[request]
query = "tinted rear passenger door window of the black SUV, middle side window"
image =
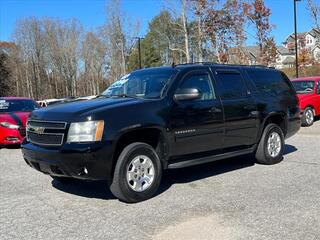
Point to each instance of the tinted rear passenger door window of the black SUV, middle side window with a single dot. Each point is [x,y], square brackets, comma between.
[231,85]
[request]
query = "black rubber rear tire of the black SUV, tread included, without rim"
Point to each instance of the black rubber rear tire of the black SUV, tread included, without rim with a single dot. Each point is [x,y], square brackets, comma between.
[263,155]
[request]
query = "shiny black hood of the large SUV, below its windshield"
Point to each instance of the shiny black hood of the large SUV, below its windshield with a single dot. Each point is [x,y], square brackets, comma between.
[75,110]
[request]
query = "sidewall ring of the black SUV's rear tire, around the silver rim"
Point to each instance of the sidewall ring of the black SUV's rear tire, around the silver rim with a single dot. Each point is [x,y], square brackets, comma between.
[270,129]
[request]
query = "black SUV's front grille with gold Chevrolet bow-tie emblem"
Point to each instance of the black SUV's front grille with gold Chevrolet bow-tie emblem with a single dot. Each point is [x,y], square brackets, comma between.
[46,133]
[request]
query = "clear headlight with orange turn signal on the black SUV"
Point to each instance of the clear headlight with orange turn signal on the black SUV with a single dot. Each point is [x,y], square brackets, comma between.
[90,131]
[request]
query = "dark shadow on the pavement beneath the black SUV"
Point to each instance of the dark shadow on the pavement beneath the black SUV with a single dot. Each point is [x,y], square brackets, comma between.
[99,189]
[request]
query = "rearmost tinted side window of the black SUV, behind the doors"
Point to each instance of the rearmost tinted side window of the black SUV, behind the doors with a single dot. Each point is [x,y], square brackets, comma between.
[269,81]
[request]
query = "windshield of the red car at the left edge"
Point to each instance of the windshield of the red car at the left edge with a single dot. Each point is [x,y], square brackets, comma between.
[17,105]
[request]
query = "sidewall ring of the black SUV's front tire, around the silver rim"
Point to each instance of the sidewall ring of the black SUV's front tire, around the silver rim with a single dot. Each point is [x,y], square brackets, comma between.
[124,160]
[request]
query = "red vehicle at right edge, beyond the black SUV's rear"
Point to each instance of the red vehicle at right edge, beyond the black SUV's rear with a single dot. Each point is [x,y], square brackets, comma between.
[308,91]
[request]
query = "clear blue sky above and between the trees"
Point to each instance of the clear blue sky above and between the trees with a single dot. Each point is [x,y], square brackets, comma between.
[91,14]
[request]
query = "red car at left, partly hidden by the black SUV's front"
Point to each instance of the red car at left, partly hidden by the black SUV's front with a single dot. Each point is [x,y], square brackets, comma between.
[14,113]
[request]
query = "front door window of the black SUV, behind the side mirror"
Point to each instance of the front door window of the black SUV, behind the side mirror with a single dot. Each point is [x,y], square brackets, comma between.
[202,82]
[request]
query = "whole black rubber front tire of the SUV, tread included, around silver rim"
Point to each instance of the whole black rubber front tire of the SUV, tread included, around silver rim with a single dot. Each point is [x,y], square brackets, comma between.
[120,186]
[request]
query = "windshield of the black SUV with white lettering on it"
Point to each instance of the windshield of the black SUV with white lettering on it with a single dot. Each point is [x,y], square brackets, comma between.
[144,84]
